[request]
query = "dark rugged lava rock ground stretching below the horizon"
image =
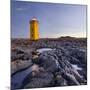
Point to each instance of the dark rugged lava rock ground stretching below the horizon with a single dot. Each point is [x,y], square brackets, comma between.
[48,62]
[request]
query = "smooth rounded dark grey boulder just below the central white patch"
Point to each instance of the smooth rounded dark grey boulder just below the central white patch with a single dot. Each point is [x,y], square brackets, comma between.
[48,62]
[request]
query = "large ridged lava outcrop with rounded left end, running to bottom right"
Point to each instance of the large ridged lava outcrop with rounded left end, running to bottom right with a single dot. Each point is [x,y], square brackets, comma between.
[60,60]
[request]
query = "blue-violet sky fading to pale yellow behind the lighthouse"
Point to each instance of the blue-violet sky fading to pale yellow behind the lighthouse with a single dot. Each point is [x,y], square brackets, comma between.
[55,19]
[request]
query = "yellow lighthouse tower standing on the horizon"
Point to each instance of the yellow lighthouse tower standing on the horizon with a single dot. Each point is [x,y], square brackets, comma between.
[34,26]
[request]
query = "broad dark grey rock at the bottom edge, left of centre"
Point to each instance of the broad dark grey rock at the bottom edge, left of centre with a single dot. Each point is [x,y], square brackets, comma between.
[42,79]
